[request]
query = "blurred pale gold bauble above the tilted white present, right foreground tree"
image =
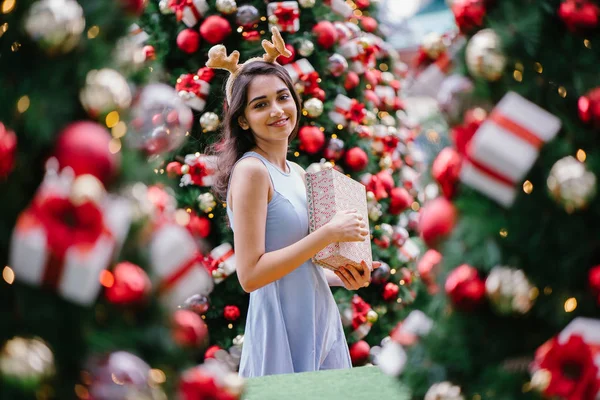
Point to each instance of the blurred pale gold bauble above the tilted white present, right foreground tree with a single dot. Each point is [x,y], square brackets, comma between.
[484,55]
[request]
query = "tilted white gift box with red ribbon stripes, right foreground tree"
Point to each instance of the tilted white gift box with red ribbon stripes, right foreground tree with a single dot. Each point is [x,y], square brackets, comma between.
[505,147]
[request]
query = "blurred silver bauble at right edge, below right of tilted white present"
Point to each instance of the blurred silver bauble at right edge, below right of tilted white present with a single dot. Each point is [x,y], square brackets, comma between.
[571,184]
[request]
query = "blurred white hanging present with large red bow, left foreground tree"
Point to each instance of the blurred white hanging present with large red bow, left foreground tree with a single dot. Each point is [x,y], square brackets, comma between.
[68,235]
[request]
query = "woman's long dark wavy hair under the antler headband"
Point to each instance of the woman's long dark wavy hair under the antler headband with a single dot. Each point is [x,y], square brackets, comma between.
[234,141]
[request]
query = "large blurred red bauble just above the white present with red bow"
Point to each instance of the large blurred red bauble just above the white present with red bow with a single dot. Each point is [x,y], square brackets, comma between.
[84,146]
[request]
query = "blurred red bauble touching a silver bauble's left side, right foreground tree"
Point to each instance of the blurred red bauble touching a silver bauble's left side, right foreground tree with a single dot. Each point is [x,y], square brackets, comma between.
[465,288]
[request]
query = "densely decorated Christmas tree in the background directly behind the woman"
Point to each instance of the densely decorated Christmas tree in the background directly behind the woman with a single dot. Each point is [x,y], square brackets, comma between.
[349,80]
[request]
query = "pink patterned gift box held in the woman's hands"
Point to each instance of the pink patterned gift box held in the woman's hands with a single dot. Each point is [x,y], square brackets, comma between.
[329,191]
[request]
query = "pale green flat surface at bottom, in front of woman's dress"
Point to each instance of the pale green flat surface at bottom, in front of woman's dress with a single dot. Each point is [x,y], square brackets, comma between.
[364,383]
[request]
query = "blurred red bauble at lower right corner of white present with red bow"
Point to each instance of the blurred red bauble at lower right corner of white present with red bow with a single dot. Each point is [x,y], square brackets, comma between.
[131,284]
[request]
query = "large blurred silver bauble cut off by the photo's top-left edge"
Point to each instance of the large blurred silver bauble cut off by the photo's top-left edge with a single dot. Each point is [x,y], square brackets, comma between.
[56,25]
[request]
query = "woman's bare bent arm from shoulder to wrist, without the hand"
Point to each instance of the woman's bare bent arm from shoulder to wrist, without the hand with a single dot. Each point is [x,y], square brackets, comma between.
[249,194]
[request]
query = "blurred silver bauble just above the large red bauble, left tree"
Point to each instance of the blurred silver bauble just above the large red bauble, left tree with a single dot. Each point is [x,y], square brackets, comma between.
[105,90]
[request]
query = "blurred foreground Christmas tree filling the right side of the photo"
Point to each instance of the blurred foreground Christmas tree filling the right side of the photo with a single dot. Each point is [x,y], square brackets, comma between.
[516,279]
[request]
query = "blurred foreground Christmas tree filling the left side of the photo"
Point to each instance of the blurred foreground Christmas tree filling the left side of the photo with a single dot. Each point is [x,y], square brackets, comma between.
[84,307]
